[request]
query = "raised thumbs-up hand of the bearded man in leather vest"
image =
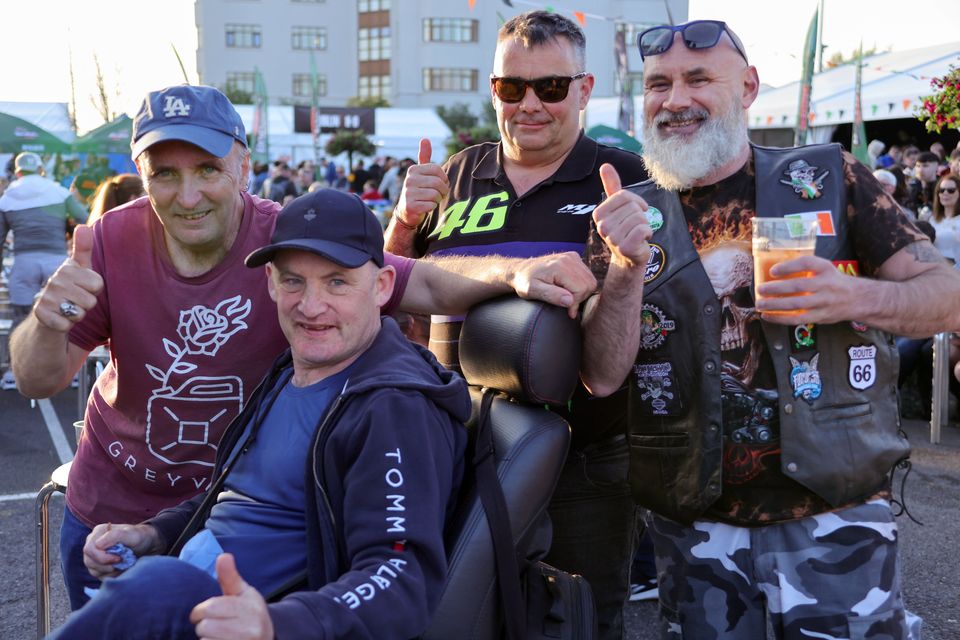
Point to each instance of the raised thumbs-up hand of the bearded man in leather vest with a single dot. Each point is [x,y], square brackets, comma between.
[622,223]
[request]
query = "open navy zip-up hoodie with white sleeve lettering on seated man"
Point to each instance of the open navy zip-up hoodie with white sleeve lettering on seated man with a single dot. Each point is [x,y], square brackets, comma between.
[383,476]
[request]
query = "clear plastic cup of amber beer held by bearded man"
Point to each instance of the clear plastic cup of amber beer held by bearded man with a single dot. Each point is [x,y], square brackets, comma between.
[777,240]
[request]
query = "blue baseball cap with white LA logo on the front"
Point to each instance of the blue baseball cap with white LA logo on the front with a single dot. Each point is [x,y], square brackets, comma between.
[197,114]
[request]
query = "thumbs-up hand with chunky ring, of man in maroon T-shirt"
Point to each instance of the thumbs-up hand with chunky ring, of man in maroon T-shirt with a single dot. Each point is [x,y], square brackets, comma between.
[72,290]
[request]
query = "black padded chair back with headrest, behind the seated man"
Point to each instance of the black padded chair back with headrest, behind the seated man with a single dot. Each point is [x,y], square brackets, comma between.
[530,352]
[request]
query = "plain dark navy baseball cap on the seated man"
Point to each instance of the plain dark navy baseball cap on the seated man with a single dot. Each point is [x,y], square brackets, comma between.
[332,224]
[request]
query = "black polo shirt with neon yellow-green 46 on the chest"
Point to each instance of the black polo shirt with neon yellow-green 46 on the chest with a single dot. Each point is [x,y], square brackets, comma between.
[483,215]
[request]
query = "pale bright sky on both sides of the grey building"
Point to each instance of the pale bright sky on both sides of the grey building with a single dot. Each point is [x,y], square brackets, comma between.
[134,41]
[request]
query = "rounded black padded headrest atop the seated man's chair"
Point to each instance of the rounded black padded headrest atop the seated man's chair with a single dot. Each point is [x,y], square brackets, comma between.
[527,349]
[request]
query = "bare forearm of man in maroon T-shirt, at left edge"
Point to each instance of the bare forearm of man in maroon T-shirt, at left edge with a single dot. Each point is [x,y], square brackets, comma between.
[41,359]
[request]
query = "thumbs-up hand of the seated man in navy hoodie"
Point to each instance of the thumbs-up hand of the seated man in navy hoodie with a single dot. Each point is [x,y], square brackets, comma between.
[239,614]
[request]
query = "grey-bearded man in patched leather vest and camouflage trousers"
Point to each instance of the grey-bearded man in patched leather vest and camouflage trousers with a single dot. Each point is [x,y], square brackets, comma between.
[761,442]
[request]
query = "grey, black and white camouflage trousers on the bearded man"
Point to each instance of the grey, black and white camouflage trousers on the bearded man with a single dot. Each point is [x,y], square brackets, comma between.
[833,576]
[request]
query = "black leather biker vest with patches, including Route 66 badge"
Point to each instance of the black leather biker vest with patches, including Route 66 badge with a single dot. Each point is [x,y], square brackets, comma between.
[837,384]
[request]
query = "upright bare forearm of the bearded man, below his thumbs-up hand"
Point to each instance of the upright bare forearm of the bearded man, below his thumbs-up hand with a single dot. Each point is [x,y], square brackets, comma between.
[611,330]
